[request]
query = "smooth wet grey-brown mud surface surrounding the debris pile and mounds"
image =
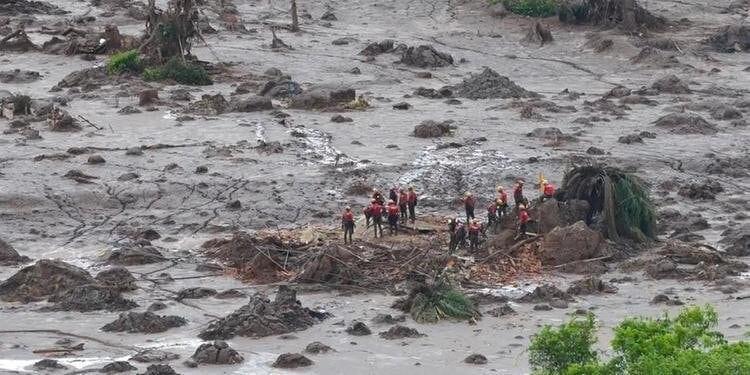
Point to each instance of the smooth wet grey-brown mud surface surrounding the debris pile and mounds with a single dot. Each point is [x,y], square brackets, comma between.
[320,165]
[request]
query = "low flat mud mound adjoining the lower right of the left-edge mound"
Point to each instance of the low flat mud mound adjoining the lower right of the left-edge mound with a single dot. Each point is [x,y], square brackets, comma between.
[90,298]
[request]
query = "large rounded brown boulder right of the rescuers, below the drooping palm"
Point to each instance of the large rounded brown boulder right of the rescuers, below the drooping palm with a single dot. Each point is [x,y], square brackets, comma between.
[572,243]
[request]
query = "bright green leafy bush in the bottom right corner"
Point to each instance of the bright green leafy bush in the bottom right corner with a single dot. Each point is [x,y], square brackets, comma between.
[685,345]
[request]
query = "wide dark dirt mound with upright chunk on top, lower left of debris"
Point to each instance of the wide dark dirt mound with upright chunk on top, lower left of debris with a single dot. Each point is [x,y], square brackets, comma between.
[262,317]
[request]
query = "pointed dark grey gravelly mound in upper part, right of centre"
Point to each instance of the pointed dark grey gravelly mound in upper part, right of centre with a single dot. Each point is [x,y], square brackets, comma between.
[489,85]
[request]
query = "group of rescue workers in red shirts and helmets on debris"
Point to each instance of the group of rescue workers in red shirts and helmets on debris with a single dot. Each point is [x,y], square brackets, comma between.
[401,206]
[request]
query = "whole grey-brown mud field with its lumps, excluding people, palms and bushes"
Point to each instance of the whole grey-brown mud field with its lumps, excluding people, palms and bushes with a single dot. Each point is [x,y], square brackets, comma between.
[143,184]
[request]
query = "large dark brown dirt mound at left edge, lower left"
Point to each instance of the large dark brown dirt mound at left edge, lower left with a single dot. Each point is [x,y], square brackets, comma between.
[43,279]
